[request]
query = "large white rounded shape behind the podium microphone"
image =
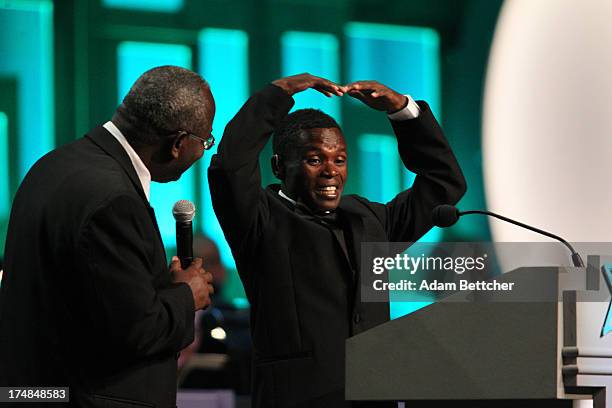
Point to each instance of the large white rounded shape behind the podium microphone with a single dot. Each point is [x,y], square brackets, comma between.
[547,119]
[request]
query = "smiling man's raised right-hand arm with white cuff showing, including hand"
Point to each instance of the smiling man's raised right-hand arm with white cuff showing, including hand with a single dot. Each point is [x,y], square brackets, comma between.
[425,151]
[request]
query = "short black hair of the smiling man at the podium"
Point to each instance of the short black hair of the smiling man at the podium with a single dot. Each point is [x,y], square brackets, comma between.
[287,134]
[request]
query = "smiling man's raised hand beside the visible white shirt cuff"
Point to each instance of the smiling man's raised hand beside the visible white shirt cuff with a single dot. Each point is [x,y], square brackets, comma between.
[376,96]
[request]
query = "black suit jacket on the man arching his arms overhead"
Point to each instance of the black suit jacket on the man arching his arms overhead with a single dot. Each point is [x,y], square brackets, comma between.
[301,285]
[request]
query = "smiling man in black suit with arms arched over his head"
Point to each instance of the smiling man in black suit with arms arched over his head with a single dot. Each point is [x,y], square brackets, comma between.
[297,245]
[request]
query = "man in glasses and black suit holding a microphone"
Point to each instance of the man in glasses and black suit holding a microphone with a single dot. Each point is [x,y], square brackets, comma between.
[87,299]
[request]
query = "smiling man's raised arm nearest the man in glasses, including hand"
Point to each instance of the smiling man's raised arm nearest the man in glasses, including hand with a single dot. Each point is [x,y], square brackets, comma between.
[234,174]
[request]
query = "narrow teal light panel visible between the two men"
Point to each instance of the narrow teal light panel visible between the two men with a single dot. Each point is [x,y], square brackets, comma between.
[224,62]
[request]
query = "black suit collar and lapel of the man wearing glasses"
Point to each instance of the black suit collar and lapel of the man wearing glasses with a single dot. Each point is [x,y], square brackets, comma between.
[107,142]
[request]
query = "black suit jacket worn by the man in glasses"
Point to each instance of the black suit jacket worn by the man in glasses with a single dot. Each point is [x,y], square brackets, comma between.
[87,300]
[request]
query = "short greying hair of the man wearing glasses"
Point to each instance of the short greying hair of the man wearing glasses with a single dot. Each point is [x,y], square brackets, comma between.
[164,100]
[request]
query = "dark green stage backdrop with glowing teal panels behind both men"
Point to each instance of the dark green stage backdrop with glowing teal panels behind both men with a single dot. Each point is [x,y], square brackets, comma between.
[66,64]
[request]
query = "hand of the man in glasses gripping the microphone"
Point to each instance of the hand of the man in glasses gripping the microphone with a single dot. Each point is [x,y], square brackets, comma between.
[199,281]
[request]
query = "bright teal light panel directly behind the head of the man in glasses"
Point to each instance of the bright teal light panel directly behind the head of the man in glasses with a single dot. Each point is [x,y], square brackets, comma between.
[133,59]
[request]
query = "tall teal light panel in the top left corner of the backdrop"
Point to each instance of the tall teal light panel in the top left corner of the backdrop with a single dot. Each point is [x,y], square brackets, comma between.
[26,52]
